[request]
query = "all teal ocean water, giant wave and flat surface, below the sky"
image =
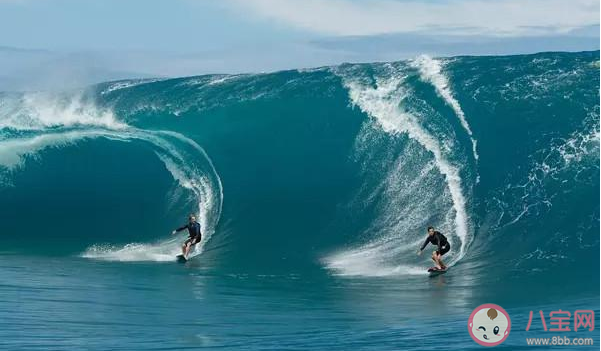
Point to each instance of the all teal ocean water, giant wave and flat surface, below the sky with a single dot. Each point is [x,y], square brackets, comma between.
[313,189]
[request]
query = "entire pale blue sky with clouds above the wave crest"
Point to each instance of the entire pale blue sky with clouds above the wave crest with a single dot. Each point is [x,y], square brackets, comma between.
[114,38]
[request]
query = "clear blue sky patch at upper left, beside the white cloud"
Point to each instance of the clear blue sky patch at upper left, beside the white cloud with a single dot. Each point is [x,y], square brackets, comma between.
[155,25]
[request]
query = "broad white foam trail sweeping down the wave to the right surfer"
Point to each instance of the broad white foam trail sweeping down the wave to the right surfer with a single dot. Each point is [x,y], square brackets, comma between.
[383,103]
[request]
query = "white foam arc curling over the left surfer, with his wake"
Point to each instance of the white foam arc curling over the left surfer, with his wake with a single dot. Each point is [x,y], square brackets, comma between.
[59,125]
